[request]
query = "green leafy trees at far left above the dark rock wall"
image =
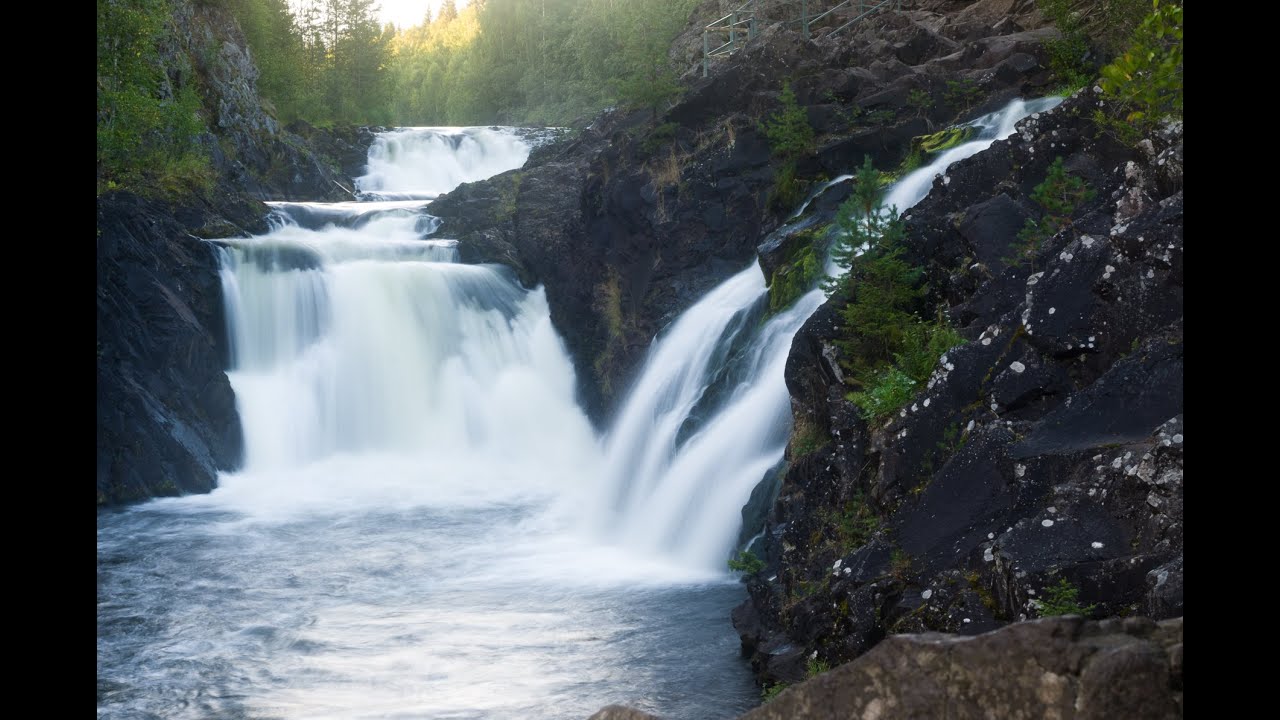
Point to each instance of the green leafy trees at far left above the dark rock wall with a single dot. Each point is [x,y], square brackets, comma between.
[148,124]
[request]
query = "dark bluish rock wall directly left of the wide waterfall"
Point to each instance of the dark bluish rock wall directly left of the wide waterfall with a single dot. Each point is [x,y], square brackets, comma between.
[167,417]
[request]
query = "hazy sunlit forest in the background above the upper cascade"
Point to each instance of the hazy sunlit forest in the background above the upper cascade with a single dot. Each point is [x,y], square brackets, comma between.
[510,62]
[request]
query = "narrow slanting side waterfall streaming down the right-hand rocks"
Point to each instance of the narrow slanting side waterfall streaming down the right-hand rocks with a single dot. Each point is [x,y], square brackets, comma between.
[680,493]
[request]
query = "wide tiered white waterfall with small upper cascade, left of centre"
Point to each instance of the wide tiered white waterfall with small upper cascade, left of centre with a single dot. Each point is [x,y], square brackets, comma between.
[367,361]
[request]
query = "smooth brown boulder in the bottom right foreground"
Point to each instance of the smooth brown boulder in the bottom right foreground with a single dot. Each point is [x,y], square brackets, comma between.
[1060,668]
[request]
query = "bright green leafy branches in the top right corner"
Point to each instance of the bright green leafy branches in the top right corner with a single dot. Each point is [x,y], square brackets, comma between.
[1146,81]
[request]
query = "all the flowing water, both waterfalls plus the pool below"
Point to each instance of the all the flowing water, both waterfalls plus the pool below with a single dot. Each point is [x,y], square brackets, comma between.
[409,534]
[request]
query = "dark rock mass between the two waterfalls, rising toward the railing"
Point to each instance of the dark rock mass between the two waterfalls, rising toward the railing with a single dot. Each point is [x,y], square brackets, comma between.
[630,221]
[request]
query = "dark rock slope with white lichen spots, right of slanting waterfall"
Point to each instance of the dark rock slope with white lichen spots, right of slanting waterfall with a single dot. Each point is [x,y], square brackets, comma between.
[1046,453]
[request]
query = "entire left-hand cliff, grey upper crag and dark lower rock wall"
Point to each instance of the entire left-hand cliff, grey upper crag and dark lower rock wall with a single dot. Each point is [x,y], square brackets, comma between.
[167,417]
